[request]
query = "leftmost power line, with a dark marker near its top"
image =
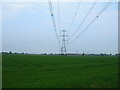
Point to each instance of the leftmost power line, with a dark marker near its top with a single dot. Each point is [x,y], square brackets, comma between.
[53,19]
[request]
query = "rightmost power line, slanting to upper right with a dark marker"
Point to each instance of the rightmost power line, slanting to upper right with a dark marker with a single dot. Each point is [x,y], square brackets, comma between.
[92,21]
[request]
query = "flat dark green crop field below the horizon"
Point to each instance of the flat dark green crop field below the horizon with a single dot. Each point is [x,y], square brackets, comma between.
[36,71]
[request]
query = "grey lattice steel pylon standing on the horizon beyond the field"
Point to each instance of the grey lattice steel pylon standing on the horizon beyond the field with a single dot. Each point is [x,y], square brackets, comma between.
[64,41]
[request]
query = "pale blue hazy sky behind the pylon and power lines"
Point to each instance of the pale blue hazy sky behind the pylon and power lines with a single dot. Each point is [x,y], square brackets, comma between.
[28,27]
